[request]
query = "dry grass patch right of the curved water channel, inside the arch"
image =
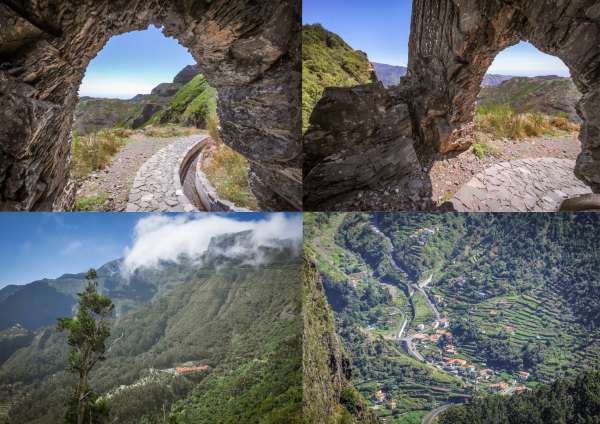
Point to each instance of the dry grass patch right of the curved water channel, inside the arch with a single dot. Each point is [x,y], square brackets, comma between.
[228,171]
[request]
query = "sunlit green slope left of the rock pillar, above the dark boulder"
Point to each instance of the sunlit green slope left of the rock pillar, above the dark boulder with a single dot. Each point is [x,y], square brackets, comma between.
[328,61]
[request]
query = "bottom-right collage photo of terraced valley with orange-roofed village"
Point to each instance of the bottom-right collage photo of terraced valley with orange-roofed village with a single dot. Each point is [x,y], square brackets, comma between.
[451,318]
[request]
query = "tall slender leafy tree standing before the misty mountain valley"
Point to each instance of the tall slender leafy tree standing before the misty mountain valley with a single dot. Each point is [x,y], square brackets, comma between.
[88,331]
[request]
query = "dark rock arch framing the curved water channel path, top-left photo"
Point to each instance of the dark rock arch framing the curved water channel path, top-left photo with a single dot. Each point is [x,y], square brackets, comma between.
[247,49]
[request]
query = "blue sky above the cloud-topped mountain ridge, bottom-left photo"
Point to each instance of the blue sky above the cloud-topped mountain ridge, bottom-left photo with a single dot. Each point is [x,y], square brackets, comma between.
[46,245]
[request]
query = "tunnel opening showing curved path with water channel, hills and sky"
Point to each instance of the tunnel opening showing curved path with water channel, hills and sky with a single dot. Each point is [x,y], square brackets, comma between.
[144,111]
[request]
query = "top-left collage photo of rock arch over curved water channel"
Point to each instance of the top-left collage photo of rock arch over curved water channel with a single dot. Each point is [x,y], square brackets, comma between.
[160,106]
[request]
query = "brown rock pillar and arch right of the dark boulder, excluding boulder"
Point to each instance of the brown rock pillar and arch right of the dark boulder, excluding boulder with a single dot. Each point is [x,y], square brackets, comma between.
[453,43]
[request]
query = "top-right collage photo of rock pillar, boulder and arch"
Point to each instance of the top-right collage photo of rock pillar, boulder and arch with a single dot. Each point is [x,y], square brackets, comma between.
[441,105]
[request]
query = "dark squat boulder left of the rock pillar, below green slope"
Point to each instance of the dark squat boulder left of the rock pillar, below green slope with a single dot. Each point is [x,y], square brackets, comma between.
[360,139]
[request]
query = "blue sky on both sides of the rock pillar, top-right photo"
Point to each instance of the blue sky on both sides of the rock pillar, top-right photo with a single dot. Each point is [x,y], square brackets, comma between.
[381,28]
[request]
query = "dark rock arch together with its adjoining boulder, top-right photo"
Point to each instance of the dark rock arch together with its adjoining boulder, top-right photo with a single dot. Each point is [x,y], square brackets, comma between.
[401,131]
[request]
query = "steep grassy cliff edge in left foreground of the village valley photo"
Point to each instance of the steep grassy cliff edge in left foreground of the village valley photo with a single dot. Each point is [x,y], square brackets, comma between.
[329,397]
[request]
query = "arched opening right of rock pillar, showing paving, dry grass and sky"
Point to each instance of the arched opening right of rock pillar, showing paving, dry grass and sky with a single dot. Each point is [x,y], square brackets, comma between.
[524,140]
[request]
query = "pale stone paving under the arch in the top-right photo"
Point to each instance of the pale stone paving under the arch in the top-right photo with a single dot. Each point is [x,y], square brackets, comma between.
[527,185]
